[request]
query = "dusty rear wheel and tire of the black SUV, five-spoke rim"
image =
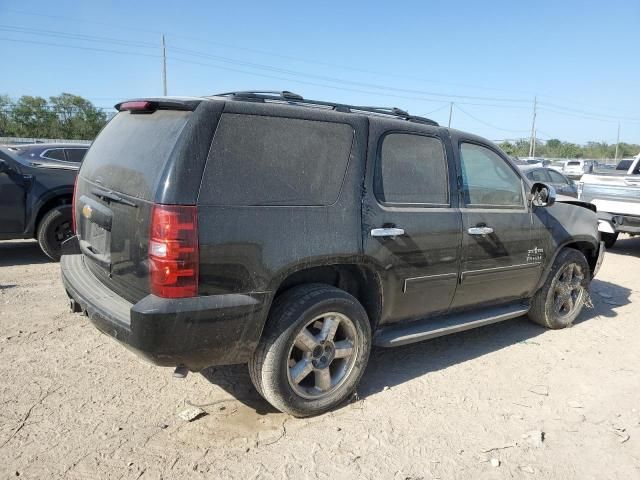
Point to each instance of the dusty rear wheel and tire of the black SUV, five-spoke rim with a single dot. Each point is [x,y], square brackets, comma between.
[313,351]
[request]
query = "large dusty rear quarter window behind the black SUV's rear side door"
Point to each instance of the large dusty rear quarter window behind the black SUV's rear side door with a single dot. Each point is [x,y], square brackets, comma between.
[260,160]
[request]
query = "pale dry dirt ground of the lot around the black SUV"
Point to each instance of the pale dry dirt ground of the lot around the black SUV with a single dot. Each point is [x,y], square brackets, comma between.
[74,404]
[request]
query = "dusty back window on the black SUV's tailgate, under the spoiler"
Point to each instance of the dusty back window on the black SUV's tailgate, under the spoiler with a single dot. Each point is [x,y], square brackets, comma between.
[130,153]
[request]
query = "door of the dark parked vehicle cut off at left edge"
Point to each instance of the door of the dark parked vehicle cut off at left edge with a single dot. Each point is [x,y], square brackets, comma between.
[12,199]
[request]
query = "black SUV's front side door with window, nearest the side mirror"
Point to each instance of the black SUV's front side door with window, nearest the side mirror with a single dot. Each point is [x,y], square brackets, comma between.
[501,261]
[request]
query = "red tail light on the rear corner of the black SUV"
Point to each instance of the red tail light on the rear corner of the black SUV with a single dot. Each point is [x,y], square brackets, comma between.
[173,251]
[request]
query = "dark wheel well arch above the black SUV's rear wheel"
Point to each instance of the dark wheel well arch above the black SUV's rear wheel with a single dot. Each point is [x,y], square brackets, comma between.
[359,281]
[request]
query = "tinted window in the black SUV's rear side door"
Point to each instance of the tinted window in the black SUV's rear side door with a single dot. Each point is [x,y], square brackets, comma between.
[411,169]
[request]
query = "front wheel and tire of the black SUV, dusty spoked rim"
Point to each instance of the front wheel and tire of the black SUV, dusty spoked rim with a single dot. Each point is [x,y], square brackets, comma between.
[568,280]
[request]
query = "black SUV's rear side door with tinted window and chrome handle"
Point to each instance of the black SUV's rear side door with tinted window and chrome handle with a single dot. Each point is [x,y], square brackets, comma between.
[411,224]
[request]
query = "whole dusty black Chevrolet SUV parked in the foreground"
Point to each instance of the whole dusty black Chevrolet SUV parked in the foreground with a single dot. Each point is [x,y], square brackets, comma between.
[291,234]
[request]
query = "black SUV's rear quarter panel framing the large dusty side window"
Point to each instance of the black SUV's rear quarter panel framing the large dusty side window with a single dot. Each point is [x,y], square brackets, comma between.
[254,248]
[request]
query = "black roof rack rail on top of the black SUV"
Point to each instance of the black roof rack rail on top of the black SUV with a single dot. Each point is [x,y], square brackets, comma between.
[291,98]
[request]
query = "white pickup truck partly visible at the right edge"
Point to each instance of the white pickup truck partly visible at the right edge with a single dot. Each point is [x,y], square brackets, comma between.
[616,195]
